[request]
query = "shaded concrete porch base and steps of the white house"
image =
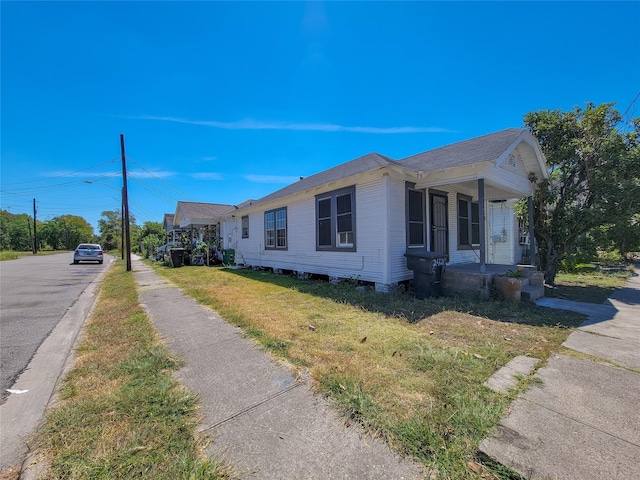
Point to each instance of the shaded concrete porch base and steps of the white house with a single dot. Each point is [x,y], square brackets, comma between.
[471,280]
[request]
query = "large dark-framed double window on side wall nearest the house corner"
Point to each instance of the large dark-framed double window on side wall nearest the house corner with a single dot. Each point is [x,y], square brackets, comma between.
[335,220]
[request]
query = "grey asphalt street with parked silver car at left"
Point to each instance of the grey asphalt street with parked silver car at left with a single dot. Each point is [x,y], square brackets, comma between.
[35,293]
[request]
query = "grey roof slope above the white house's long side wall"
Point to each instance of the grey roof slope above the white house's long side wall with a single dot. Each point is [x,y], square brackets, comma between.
[362,164]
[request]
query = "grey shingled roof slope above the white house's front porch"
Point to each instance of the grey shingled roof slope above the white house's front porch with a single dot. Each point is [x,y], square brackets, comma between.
[475,150]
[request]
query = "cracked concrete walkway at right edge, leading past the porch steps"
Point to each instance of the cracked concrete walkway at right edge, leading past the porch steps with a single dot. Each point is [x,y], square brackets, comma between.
[583,421]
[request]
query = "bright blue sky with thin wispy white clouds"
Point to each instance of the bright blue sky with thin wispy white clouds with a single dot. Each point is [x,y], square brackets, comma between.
[226,101]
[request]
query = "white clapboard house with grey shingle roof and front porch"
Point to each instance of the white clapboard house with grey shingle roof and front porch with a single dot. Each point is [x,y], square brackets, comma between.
[358,219]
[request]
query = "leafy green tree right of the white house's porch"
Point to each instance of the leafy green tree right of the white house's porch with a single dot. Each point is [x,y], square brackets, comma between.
[593,180]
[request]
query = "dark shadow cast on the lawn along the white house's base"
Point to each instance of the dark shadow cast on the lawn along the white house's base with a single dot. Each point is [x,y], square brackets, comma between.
[398,304]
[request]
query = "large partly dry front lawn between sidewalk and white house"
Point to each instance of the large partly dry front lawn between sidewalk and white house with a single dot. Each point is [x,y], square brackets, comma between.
[409,371]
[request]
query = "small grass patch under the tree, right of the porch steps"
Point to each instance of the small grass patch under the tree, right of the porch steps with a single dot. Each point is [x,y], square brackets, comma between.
[588,283]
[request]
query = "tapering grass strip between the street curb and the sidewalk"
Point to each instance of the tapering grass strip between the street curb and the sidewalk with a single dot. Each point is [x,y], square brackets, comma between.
[121,414]
